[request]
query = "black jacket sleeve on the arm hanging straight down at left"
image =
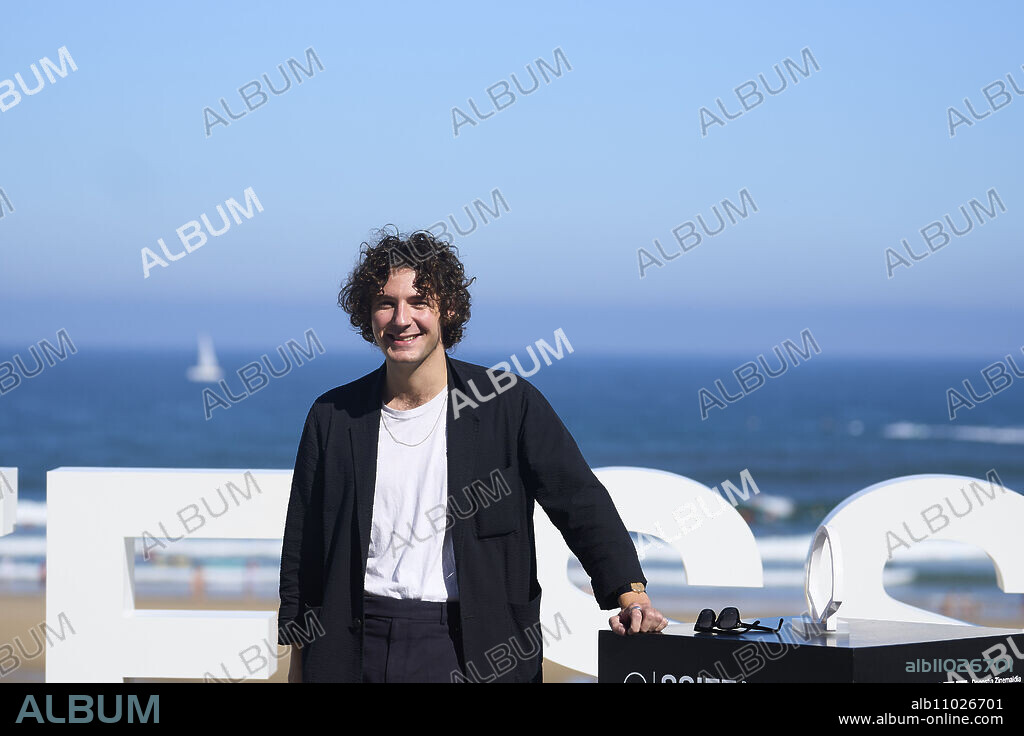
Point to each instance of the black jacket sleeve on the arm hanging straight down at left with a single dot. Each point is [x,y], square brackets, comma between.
[301,560]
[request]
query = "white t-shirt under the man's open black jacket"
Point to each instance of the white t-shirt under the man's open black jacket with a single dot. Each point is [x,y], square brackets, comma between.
[411,553]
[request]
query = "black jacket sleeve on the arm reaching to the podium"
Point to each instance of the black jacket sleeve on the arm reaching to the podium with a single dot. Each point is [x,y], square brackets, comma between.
[554,470]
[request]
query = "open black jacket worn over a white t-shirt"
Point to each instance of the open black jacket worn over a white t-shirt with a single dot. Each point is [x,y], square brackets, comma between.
[517,434]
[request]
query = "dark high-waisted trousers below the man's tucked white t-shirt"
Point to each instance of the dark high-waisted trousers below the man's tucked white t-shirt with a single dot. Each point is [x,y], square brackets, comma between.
[406,641]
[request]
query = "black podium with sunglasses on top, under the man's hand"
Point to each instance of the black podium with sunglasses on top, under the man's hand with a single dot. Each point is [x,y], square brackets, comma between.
[862,652]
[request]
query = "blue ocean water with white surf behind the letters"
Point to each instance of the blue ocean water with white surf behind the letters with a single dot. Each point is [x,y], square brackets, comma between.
[826,429]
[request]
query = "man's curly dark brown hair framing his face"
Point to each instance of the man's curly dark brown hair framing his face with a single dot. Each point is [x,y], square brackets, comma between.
[440,276]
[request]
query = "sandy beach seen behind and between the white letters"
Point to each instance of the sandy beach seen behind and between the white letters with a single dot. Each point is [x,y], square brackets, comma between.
[19,615]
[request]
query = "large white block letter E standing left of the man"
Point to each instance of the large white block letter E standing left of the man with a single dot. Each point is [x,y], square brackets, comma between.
[94,517]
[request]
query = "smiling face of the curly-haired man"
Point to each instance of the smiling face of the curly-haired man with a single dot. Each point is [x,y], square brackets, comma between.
[407,325]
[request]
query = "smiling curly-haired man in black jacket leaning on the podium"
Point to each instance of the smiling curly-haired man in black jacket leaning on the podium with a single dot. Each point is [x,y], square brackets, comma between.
[409,552]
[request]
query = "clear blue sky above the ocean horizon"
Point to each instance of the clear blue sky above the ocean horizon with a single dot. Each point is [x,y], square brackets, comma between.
[593,165]
